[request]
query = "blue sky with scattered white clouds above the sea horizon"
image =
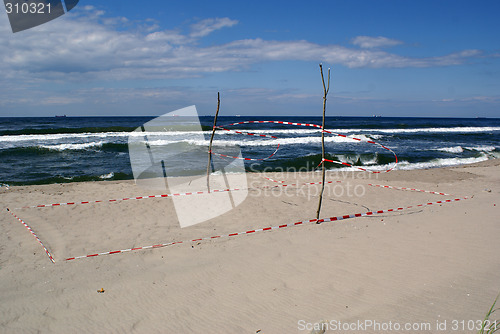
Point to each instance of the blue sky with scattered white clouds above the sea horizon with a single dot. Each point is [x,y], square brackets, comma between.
[389,58]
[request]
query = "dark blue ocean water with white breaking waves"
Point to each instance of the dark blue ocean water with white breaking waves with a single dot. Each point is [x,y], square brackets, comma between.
[73,149]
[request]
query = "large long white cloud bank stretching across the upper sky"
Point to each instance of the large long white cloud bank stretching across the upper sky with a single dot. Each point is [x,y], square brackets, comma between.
[85,46]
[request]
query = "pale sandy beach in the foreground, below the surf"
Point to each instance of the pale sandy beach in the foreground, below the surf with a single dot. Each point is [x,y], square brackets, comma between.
[436,263]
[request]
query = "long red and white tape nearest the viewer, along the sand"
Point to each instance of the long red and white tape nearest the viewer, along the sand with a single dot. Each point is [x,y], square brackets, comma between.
[330,219]
